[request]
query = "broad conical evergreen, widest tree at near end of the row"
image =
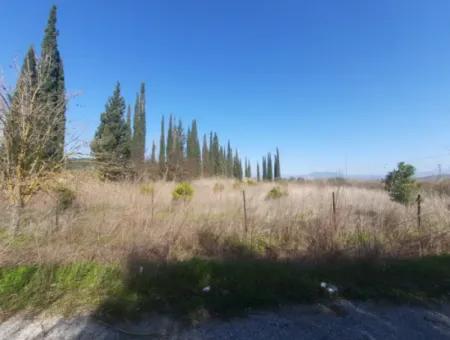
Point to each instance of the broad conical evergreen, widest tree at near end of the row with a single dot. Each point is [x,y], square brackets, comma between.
[111,144]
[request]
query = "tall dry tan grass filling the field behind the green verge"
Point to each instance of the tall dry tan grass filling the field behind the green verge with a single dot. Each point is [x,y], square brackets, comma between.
[111,220]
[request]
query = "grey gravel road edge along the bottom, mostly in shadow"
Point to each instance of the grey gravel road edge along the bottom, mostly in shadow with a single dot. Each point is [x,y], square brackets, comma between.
[338,320]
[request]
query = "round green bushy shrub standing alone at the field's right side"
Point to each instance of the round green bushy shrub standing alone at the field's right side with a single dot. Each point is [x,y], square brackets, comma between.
[401,185]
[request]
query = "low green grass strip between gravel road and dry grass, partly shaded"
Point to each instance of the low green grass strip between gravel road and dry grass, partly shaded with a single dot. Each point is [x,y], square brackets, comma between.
[235,287]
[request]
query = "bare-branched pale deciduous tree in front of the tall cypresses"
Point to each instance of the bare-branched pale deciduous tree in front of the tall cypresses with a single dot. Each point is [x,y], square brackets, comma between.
[26,127]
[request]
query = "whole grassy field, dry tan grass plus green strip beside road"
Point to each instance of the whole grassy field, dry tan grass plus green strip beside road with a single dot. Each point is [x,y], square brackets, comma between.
[121,248]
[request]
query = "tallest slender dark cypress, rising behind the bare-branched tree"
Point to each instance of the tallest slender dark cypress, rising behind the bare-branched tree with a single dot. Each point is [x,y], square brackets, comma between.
[52,91]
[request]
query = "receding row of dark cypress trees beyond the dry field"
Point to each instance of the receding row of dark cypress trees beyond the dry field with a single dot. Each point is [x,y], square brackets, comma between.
[119,148]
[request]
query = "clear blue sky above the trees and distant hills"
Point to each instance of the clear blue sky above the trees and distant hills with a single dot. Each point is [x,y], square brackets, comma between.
[349,85]
